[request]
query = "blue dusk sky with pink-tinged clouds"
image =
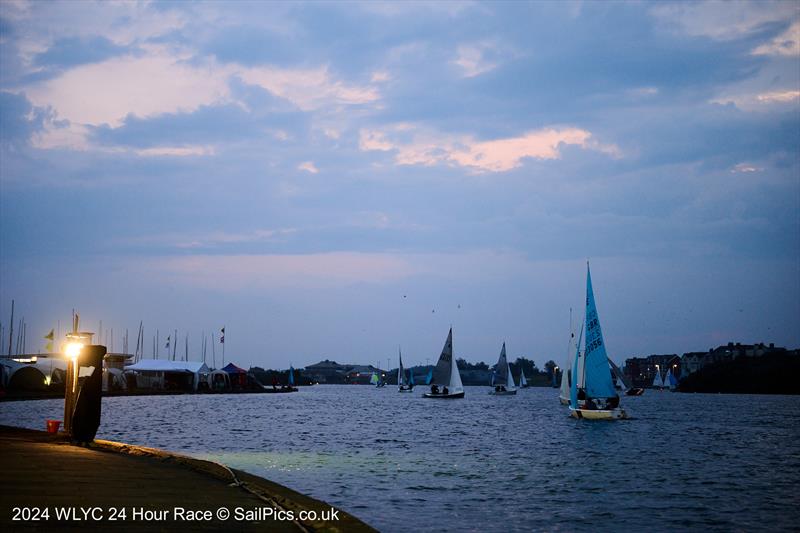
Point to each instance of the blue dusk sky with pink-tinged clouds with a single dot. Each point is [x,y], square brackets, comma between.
[343,180]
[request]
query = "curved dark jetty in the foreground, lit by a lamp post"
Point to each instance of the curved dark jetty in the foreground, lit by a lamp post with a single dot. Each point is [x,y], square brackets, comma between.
[132,488]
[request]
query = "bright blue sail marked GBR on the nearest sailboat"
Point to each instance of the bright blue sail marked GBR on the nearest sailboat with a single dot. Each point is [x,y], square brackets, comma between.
[597,375]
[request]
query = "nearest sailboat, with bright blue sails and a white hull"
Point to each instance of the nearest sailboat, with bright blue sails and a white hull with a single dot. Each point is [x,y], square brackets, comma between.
[596,399]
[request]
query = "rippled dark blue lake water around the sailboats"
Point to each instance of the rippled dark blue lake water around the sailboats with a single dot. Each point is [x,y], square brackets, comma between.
[401,462]
